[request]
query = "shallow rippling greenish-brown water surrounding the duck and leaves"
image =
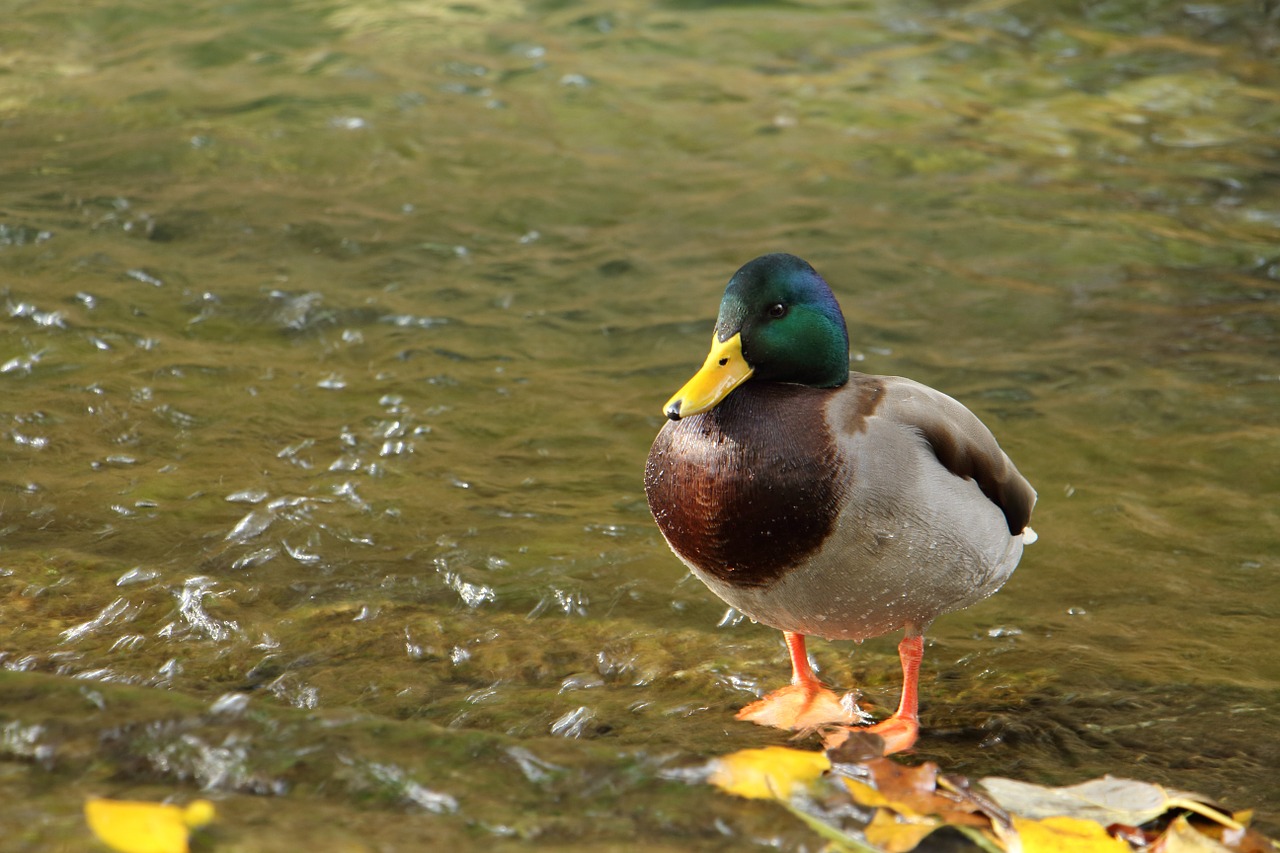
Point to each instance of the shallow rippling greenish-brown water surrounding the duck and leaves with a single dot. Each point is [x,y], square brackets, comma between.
[337,336]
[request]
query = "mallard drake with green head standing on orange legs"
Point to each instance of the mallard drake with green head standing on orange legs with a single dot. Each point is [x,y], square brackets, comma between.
[825,503]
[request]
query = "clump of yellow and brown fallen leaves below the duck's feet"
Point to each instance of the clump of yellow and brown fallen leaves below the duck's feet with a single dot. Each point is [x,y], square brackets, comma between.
[899,806]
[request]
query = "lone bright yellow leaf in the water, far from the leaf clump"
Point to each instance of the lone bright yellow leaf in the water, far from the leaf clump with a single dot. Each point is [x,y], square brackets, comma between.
[145,828]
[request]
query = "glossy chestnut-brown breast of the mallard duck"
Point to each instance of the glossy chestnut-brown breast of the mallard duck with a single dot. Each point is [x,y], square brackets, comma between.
[752,487]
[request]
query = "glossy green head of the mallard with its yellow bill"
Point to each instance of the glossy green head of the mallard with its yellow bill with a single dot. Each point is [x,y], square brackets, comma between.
[779,322]
